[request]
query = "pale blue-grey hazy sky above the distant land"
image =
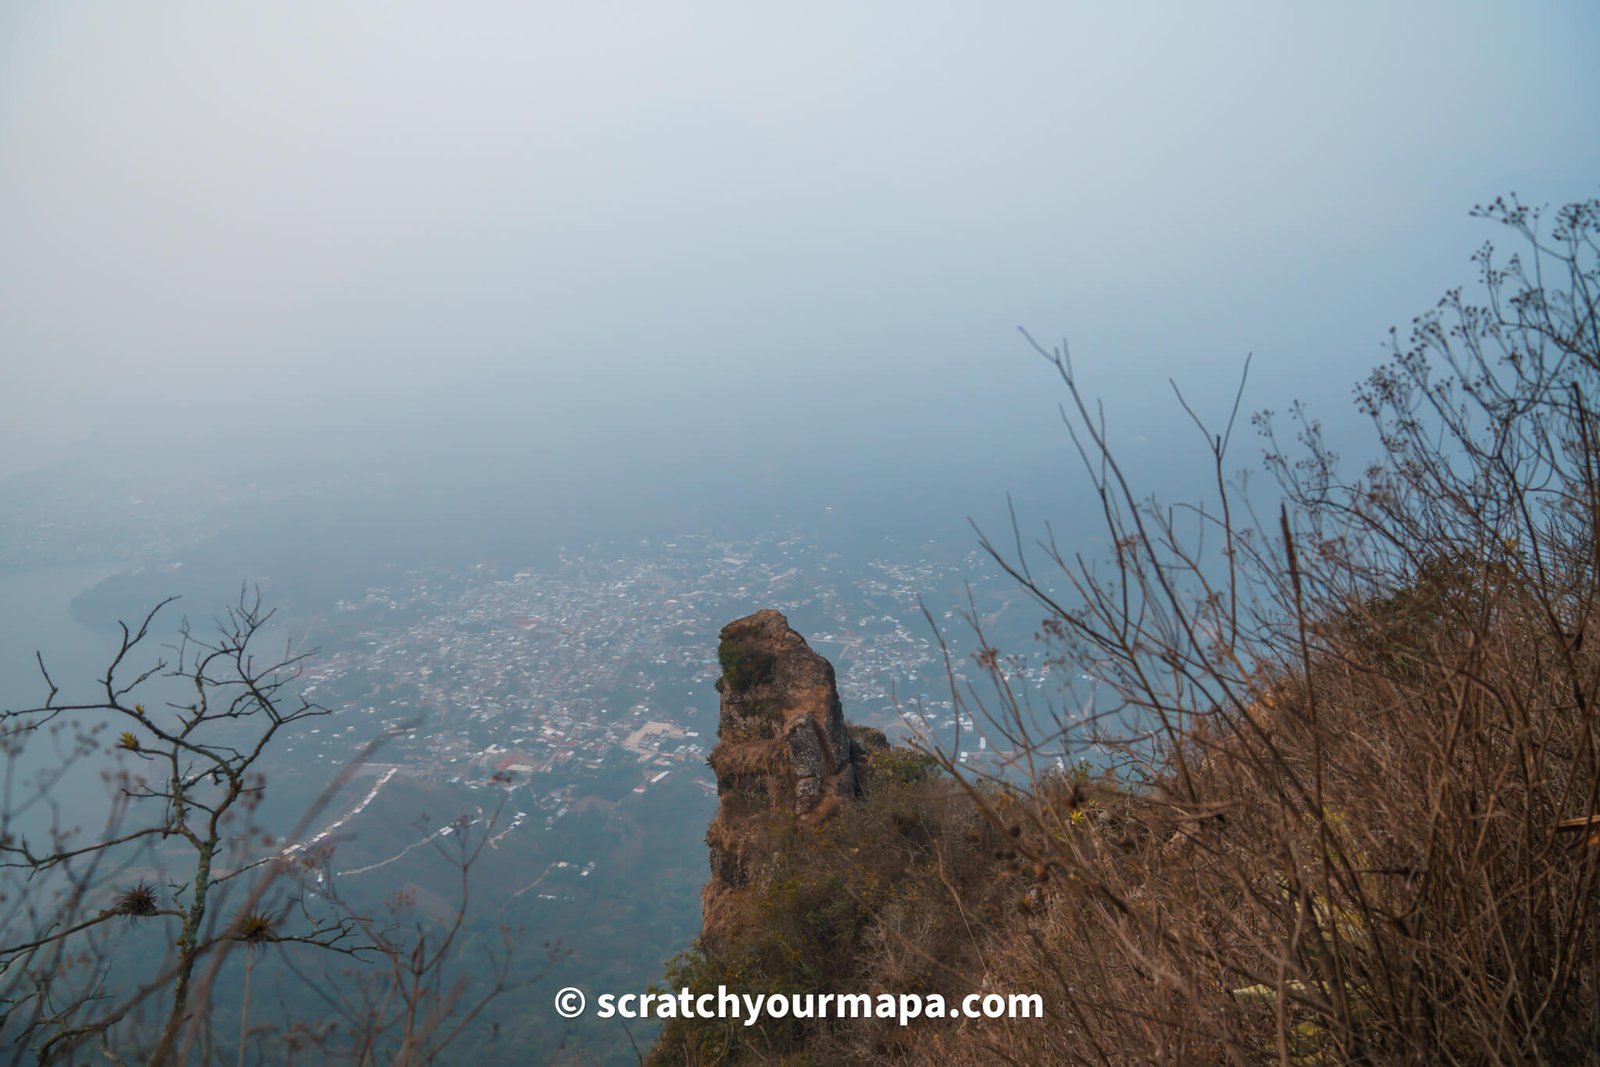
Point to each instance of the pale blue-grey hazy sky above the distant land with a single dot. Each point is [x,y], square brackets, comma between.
[684,236]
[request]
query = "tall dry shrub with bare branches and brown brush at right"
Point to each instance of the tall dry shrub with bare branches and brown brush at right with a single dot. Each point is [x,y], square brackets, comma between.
[1358,748]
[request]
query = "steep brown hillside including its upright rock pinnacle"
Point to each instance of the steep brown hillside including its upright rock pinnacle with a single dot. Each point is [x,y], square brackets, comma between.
[1206,916]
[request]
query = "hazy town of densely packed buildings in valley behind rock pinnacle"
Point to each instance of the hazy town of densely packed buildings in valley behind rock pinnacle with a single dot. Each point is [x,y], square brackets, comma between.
[594,674]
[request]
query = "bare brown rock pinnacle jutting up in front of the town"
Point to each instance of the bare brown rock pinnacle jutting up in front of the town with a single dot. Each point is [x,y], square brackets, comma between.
[783,753]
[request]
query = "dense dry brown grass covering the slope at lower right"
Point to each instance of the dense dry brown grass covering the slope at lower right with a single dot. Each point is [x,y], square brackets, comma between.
[1431,909]
